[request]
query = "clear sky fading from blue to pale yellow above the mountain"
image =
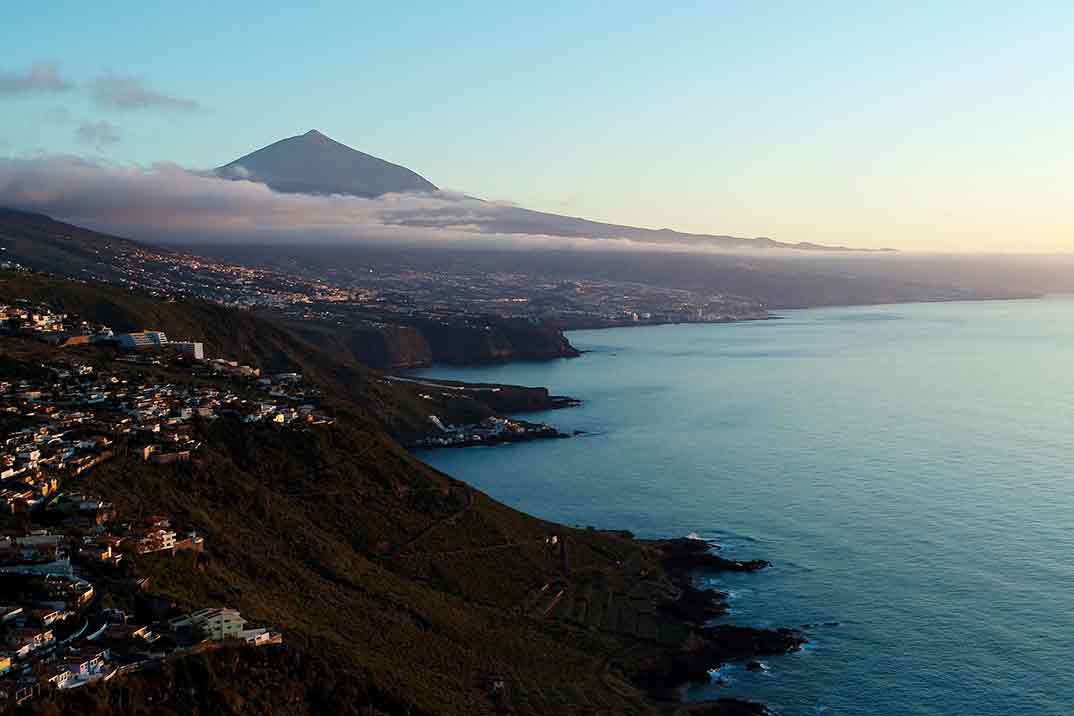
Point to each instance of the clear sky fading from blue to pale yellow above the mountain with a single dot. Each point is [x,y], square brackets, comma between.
[921,126]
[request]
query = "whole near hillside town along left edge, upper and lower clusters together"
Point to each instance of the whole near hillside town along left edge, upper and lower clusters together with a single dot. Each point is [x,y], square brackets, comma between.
[61,544]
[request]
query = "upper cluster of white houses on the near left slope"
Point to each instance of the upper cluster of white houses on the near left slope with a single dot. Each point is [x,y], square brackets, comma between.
[67,418]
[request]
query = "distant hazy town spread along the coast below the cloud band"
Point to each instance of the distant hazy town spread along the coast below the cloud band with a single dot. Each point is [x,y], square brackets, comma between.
[376,290]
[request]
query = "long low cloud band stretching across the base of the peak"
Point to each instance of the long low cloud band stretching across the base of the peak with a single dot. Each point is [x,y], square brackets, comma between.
[166,202]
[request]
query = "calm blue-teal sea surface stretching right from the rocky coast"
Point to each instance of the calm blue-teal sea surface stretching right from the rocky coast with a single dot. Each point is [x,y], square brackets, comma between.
[908,470]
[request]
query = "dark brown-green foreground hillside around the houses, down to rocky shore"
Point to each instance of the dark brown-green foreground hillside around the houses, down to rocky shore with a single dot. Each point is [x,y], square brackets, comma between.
[399,590]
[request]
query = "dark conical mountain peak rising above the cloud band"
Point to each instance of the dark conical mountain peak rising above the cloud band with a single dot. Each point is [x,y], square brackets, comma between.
[313,164]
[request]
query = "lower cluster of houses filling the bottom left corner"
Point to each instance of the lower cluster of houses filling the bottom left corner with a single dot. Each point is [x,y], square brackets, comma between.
[57,632]
